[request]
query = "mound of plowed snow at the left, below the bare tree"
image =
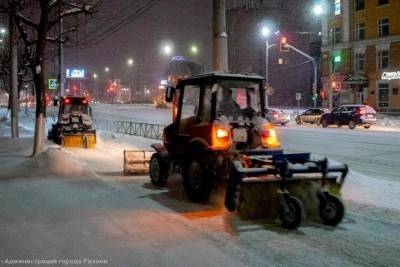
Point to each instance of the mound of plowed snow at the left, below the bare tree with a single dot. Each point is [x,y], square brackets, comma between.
[51,163]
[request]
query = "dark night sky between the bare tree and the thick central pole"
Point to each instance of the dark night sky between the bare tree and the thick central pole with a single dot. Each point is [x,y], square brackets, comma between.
[181,22]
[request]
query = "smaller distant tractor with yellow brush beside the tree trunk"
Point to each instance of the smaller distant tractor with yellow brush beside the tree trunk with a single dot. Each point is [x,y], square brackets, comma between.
[74,127]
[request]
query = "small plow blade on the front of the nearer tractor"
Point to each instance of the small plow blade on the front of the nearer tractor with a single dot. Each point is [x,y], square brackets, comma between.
[136,162]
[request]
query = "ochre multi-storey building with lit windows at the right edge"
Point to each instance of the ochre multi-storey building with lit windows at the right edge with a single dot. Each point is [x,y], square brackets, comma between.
[361,54]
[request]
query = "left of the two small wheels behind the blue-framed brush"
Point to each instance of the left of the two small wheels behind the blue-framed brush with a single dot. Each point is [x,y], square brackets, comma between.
[292,217]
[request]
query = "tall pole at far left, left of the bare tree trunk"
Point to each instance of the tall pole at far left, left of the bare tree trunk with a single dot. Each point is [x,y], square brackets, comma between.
[14,77]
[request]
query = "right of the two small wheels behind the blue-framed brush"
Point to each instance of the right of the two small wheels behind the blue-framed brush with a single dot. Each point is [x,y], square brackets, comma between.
[331,210]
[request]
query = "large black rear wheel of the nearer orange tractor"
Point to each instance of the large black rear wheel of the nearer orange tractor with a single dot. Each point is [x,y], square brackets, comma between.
[197,180]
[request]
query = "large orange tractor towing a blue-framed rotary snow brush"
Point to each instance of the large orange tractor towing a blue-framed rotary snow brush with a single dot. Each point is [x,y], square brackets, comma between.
[220,136]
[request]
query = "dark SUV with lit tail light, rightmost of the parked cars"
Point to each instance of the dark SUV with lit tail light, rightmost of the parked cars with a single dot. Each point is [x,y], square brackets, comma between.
[351,115]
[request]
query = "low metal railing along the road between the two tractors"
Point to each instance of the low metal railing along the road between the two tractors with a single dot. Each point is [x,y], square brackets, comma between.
[148,130]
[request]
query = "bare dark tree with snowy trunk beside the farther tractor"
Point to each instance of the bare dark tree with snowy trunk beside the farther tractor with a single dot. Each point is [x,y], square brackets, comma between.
[35,21]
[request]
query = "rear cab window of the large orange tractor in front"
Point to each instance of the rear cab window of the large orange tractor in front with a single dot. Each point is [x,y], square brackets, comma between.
[238,99]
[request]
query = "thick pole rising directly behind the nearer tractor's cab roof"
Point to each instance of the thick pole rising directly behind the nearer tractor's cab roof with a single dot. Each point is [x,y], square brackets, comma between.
[220,37]
